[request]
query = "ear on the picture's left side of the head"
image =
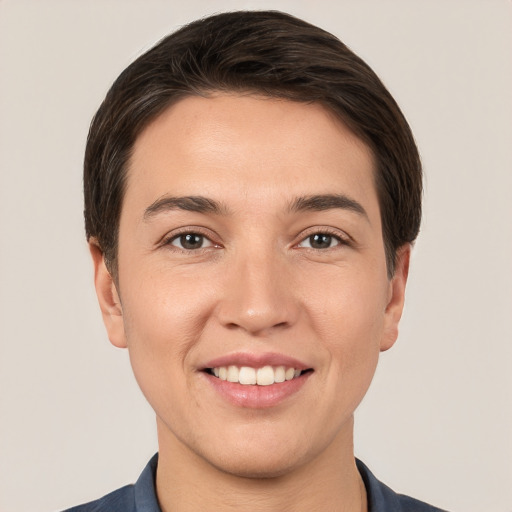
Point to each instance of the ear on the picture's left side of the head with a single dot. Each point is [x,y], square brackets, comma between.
[108,297]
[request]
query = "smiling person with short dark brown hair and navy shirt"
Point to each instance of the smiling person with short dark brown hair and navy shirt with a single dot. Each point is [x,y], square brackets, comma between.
[251,195]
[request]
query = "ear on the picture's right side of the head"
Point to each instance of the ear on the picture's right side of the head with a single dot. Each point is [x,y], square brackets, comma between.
[396,297]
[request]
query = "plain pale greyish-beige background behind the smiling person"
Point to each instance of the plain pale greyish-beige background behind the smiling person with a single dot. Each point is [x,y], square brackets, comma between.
[437,421]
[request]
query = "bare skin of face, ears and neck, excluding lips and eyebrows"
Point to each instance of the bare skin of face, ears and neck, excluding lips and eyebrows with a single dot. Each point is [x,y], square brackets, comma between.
[257,284]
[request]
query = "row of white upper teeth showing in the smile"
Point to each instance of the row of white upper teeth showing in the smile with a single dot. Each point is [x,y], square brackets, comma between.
[265,376]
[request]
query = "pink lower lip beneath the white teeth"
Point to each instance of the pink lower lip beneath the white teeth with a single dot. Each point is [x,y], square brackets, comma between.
[257,397]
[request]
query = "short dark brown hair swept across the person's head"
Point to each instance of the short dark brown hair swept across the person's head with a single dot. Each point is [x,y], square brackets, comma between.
[265,52]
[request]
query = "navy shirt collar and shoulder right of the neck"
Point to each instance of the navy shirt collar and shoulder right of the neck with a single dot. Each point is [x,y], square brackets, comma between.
[383,499]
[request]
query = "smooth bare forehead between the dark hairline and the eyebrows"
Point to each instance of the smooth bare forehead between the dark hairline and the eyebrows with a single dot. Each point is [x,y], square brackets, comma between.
[257,147]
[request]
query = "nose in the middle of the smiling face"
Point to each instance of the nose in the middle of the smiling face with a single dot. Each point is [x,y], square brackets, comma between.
[259,295]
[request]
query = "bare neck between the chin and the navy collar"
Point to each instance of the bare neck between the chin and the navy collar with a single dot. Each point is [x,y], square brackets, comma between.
[187,482]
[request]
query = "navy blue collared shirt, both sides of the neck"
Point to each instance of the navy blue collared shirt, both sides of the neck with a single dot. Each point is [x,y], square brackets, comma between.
[141,497]
